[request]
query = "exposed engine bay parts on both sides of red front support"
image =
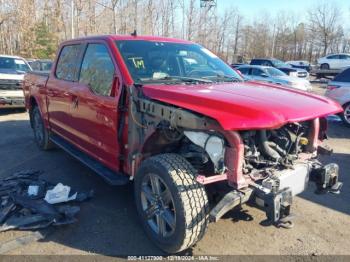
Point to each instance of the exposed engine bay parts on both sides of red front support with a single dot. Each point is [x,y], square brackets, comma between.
[264,150]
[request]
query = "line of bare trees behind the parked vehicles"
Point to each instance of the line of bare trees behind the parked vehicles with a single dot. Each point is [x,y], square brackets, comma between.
[34,28]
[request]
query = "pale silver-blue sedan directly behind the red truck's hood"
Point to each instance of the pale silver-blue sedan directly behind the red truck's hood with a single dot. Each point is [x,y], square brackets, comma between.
[273,75]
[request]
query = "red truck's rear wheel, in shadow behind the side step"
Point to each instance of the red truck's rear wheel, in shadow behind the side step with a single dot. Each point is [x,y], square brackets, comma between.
[41,134]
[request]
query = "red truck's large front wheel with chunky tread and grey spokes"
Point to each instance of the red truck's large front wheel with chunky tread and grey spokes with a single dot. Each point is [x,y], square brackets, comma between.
[185,216]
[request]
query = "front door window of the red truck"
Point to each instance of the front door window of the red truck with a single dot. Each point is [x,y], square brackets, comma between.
[97,69]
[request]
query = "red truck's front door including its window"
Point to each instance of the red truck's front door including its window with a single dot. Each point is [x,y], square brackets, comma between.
[95,116]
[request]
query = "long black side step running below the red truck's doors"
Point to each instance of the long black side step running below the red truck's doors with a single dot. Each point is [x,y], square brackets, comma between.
[111,177]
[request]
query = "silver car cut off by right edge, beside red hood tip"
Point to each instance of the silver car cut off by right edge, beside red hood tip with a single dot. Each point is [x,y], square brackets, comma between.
[339,90]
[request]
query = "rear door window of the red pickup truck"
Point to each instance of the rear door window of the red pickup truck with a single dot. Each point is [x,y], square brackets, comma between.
[68,62]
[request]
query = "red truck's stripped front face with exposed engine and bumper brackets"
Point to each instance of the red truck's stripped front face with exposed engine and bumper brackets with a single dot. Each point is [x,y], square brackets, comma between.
[277,165]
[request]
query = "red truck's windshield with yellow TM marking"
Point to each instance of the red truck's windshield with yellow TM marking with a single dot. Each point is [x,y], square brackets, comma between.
[162,61]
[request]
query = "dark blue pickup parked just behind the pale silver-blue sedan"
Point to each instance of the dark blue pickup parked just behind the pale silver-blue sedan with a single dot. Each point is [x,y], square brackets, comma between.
[296,72]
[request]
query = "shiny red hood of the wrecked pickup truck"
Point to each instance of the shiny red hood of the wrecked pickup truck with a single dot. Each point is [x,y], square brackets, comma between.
[245,105]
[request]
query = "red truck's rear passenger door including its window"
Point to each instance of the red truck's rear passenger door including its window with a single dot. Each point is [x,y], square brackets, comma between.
[60,99]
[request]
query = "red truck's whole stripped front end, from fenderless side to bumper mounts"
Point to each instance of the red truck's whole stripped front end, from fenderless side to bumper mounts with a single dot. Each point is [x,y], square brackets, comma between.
[267,167]
